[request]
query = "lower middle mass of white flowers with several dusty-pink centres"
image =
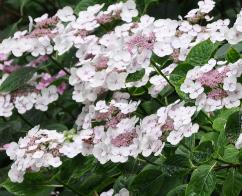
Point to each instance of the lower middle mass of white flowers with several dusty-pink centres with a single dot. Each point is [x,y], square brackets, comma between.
[112,132]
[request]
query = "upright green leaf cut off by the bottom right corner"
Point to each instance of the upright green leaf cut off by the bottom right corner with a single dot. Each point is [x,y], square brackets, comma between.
[233,183]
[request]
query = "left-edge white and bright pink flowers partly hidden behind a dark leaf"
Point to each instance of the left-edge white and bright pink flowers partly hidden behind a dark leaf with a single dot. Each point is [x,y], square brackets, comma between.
[38,93]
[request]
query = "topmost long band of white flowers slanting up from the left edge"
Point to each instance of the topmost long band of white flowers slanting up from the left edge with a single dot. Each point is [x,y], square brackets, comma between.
[43,30]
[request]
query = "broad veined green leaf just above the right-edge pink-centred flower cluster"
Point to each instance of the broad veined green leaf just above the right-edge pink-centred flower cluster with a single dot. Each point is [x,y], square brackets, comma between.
[201,53]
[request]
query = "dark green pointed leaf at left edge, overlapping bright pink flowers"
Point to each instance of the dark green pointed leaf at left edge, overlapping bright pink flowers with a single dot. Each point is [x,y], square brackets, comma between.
[17,79]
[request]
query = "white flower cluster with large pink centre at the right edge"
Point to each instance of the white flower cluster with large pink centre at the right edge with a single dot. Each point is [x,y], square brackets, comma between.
[214,85]
